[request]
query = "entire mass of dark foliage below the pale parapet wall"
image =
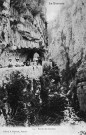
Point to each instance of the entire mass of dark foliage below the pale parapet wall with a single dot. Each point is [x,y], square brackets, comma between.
[33,106]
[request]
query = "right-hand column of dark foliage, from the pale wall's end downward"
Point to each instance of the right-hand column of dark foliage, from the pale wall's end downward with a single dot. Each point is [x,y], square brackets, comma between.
[53,103]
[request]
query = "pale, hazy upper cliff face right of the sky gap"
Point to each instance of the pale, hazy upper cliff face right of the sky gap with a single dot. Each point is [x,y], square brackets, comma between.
[69,35]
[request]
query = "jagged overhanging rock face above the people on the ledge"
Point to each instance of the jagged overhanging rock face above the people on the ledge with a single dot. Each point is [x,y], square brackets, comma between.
[22,26]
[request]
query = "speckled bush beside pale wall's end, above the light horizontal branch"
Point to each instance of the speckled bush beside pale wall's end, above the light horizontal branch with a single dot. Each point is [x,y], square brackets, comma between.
[50,78]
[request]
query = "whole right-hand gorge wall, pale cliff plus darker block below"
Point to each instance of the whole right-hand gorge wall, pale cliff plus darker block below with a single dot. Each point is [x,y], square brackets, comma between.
[69,43]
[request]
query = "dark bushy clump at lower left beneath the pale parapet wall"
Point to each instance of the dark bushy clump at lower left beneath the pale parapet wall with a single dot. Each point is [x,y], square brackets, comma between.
[19,99]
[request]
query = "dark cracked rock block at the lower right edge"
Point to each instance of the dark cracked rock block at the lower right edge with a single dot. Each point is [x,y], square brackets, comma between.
[81,86]
